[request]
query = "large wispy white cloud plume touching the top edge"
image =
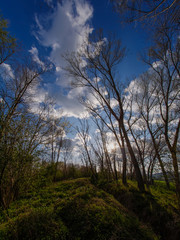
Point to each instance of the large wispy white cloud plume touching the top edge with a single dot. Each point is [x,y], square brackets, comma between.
[68,30]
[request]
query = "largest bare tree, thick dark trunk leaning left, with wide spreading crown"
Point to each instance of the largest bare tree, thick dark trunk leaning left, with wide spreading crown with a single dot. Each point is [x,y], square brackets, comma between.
[95,68]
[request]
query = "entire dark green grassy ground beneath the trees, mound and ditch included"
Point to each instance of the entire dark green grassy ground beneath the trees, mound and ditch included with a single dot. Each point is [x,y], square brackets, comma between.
[77,209]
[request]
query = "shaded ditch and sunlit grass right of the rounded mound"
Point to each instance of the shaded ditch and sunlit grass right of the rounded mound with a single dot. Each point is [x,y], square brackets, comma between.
[157,208]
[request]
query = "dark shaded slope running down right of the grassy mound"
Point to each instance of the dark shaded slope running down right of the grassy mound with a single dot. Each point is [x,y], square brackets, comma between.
[146,207]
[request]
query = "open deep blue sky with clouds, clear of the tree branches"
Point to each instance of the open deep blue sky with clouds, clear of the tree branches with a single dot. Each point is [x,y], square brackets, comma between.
[47,29]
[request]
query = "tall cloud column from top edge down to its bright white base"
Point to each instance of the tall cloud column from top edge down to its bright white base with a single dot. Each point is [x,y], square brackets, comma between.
[64,30]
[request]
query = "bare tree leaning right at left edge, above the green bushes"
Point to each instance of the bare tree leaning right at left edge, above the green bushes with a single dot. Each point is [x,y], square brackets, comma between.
[14,88]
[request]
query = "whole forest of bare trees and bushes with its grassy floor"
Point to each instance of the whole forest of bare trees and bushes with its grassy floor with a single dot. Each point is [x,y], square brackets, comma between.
[126,181]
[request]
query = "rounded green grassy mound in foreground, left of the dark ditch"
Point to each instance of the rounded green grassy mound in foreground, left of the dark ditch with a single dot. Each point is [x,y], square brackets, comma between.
[73,209]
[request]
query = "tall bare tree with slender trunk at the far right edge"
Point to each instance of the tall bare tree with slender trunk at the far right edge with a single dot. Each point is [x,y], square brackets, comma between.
[164,59]
